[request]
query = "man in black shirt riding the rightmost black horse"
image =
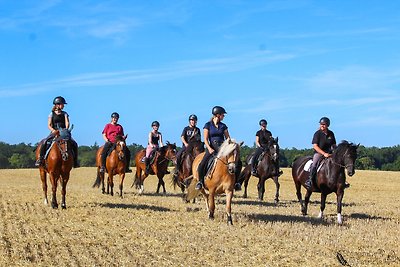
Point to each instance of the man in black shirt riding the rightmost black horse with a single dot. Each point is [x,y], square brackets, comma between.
[323,143]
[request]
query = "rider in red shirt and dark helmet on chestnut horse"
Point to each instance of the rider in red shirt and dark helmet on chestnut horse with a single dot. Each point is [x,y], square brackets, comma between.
[110,131]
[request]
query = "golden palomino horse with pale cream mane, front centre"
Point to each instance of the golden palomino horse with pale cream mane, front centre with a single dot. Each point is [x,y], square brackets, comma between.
[220,179]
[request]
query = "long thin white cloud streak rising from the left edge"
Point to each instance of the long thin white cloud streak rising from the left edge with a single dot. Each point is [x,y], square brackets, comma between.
[174,71]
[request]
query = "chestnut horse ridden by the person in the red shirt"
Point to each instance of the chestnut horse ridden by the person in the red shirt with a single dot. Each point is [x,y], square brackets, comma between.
[115,164]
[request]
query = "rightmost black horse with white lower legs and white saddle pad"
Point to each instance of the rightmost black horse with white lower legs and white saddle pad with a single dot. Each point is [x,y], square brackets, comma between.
[331,176]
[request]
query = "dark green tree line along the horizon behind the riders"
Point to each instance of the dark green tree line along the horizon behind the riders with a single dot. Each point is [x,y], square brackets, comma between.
[369,158]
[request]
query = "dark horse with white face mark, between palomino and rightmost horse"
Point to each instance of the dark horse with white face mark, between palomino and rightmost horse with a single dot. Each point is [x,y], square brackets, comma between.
[268,167]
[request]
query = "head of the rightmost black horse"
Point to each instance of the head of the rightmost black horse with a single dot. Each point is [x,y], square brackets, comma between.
[345,155]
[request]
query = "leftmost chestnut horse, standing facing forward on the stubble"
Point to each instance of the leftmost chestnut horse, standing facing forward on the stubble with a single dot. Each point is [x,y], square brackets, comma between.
[58,165]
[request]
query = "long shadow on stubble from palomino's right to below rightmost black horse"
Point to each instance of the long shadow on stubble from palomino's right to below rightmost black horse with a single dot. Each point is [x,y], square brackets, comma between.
[286,218]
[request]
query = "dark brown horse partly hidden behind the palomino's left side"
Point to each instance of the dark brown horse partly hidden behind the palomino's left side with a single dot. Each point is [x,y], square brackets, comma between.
[190,153]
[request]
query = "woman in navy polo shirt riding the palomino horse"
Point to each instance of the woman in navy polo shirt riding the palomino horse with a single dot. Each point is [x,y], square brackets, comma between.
[215,133]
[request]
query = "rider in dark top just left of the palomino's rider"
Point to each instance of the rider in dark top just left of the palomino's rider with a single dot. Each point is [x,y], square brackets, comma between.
[189,134]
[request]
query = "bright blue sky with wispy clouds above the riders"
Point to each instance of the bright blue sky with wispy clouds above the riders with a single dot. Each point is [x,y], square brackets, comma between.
[289,62]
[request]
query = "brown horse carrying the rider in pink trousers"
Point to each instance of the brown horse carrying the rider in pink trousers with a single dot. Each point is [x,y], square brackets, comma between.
[159,166]
